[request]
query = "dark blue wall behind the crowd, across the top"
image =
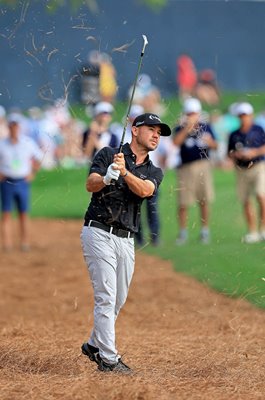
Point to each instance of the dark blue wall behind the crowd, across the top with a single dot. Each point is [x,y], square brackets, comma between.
[45,45]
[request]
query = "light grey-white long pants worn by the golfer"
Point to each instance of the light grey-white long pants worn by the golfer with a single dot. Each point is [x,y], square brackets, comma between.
[110,262]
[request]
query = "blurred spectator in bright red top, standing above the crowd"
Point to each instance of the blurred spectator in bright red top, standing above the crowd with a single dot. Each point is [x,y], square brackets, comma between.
[186,76]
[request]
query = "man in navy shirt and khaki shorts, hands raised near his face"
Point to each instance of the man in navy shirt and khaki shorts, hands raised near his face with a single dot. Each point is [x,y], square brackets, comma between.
[195,139]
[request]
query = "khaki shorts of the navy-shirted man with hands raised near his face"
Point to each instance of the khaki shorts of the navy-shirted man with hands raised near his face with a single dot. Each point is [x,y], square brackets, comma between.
[195,183]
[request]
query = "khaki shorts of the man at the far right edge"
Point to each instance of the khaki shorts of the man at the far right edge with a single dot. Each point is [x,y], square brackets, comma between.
[251,181]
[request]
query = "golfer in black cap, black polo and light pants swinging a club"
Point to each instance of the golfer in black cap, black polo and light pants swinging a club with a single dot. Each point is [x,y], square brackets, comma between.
[119,183]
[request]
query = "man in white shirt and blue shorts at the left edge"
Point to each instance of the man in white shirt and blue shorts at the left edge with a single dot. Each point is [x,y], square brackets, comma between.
[20,158]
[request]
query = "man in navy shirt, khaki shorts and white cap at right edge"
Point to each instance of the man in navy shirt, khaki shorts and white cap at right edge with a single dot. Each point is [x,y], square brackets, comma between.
[246,147]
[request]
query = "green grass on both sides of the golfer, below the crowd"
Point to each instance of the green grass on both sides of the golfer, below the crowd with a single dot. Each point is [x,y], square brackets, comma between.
[226,264]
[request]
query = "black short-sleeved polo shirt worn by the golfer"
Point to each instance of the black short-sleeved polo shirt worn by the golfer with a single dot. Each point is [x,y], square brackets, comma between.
[116,204]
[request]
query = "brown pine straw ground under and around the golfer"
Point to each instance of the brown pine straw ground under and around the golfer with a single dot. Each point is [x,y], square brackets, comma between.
[183,340]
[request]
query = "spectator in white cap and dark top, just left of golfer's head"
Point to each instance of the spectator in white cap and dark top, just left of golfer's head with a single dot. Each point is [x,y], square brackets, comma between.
[98,134]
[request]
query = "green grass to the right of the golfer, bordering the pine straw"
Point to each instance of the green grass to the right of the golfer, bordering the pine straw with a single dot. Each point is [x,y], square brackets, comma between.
[231,267]
